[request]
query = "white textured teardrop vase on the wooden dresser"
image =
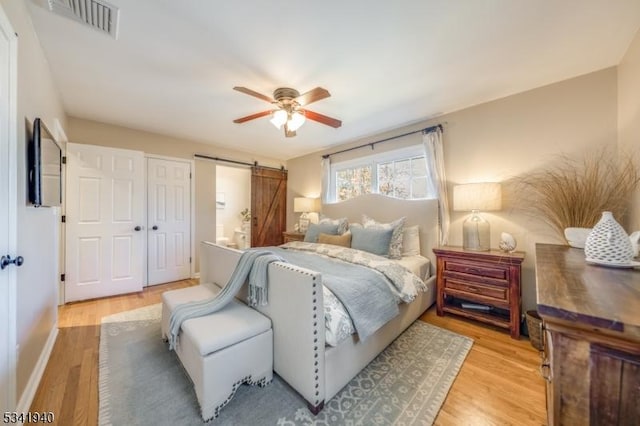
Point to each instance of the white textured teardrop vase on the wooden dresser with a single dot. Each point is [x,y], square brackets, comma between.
[608,243]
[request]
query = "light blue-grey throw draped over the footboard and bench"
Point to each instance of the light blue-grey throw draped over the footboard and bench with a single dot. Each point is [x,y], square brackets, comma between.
[252,264]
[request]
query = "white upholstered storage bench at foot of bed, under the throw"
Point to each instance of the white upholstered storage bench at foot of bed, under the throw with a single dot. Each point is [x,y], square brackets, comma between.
[223,350]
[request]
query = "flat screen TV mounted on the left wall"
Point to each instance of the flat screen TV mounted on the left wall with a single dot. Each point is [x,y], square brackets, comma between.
[44,167]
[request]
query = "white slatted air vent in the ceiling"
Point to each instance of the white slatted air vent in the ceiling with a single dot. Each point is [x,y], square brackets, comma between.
[97,14]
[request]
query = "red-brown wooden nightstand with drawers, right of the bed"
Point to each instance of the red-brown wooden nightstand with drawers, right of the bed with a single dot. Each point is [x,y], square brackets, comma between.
[490,279]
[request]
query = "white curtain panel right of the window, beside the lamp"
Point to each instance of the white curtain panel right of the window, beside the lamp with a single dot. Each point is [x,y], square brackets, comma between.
[434,154]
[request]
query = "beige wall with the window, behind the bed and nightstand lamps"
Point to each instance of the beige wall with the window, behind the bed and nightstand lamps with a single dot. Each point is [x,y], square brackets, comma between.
[503,139]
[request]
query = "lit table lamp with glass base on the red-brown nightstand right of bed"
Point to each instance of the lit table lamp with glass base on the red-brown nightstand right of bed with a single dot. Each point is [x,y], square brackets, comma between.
[474,197]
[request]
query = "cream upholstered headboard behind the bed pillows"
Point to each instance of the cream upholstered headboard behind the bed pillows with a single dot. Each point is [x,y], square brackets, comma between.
[386,209]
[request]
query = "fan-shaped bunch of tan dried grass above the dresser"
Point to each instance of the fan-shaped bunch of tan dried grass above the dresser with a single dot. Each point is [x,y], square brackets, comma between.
[573,192]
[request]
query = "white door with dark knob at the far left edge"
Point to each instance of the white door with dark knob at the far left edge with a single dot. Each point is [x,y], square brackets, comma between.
[8,164]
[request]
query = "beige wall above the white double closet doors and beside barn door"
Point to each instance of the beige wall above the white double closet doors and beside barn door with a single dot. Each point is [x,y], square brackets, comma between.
[95,133]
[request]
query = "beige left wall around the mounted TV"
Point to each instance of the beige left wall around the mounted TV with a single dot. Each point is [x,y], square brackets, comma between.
[37,227]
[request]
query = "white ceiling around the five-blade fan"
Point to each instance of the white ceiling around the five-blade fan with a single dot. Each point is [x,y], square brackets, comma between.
[386,63]
